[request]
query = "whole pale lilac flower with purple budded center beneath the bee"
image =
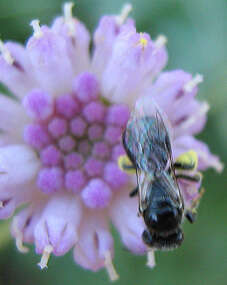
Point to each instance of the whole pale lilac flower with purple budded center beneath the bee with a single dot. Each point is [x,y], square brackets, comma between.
[61,134]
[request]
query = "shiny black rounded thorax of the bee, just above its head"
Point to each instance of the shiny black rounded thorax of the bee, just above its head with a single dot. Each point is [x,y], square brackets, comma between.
[162,216]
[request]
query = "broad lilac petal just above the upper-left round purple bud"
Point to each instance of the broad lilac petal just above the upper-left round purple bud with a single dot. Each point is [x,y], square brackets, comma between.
[49,58]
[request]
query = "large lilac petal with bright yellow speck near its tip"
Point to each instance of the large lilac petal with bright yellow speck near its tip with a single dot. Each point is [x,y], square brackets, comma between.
[135,60]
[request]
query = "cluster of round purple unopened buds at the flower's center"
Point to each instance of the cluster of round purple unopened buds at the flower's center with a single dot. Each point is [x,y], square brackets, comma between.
[78,140]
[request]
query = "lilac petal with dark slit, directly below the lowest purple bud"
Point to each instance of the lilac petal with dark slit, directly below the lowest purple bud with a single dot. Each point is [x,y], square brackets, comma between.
[94,241]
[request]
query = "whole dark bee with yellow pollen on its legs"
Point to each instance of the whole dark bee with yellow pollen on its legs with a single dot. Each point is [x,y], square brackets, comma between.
[146,140]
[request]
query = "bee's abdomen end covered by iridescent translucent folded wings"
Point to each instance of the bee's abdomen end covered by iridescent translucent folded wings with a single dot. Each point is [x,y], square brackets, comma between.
[147,136]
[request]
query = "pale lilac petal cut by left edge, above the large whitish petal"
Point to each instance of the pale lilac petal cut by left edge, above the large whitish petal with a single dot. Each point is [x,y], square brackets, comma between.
[12,116]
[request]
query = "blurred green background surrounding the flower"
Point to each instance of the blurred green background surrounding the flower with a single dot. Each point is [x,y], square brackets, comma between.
[197,42]
